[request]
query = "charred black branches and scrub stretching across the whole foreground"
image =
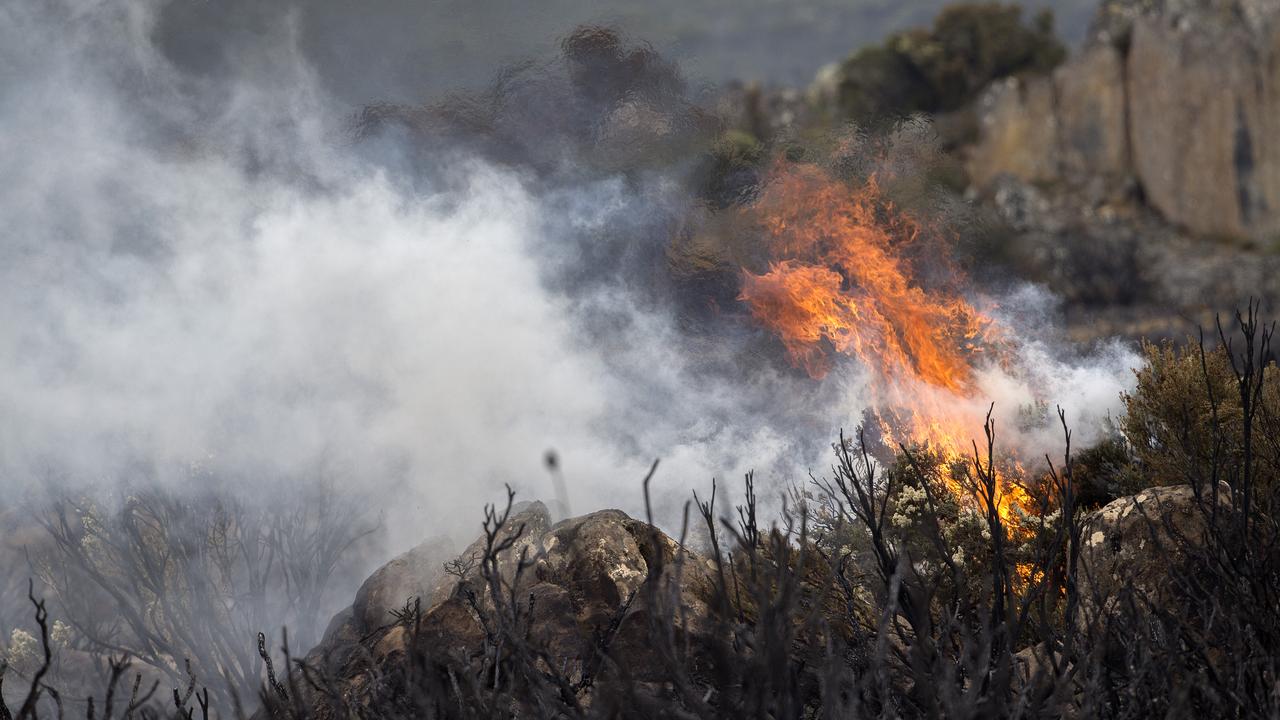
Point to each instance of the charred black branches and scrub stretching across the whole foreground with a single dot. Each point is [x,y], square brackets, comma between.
[844,610]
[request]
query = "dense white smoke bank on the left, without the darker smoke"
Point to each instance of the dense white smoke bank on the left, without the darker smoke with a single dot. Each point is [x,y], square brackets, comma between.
[202,274]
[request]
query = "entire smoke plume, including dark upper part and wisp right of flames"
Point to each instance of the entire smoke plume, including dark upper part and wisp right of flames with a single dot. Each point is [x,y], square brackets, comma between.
[227,277]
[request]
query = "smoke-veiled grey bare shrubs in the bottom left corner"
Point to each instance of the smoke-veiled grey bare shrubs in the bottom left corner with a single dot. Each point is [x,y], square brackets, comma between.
[163,589]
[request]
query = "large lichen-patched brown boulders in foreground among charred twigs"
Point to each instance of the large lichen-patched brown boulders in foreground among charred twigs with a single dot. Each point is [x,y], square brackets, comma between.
[572,587]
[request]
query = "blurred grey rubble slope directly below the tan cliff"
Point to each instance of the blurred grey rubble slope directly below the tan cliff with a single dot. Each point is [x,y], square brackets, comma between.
[1119,267]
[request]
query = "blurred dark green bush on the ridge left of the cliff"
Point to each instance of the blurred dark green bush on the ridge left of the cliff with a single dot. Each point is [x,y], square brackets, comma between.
[944,69]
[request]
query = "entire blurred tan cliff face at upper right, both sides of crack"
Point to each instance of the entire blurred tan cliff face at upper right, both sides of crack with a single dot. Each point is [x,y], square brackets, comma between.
[1180,99]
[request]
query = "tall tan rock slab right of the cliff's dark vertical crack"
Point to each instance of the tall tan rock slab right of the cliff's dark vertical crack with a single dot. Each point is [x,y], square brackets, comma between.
[1204,103]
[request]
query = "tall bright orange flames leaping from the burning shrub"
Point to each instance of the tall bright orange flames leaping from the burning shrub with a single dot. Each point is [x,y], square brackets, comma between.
[847,277]
